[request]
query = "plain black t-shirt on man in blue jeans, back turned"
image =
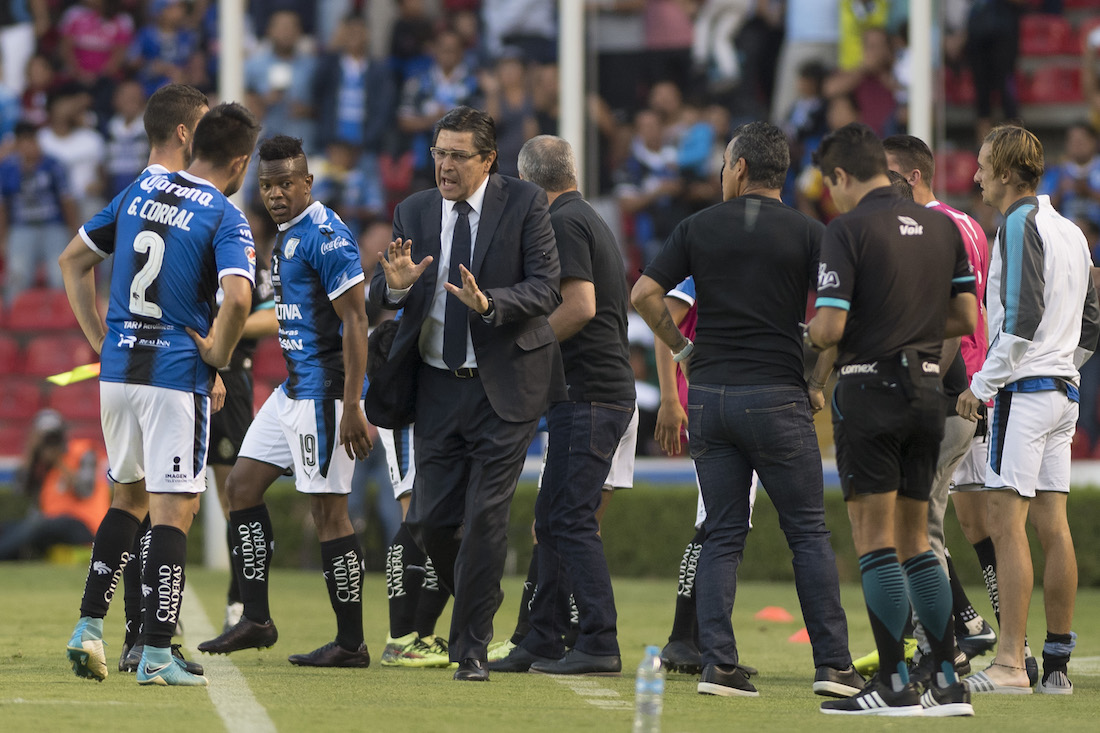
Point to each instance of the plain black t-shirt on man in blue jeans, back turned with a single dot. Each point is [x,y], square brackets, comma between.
[754,260]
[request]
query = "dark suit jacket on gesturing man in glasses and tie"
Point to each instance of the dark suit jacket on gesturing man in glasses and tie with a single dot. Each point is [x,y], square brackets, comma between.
[515,260]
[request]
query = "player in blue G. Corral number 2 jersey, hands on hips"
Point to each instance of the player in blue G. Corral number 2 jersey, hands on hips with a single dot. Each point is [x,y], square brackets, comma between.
[175,238]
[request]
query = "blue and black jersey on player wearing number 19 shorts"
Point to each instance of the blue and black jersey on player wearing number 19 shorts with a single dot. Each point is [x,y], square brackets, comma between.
[315,261]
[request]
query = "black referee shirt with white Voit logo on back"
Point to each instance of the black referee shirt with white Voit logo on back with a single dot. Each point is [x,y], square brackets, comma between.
[894,266]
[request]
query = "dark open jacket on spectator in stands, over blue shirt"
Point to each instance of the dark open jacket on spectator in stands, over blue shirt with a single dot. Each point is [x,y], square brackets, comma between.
[381,101]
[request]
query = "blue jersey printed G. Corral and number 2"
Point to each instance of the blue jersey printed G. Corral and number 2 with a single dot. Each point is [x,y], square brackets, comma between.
[174,237]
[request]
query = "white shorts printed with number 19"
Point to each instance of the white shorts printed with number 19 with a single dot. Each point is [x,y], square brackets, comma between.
[303,434]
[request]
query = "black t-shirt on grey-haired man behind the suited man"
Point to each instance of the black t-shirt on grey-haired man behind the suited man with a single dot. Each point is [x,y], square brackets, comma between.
[597,358]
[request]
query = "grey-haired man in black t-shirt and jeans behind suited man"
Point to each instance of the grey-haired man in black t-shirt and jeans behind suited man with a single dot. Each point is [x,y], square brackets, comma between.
[585,431]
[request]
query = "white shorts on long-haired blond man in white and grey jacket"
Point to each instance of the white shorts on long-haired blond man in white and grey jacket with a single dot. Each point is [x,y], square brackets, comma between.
[1030,435]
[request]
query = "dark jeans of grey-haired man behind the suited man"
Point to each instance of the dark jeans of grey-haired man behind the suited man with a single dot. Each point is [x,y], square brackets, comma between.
[584,440]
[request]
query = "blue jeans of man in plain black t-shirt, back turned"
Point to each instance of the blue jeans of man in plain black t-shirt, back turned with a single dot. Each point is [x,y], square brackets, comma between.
[735,430]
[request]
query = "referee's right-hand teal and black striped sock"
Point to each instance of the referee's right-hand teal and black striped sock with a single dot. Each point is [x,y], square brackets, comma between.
[931,595]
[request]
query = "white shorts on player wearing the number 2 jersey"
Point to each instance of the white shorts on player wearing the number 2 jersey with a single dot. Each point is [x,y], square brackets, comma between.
[156,434]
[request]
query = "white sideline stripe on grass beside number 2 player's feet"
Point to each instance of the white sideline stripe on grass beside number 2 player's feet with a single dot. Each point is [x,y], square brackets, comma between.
[229,692]
